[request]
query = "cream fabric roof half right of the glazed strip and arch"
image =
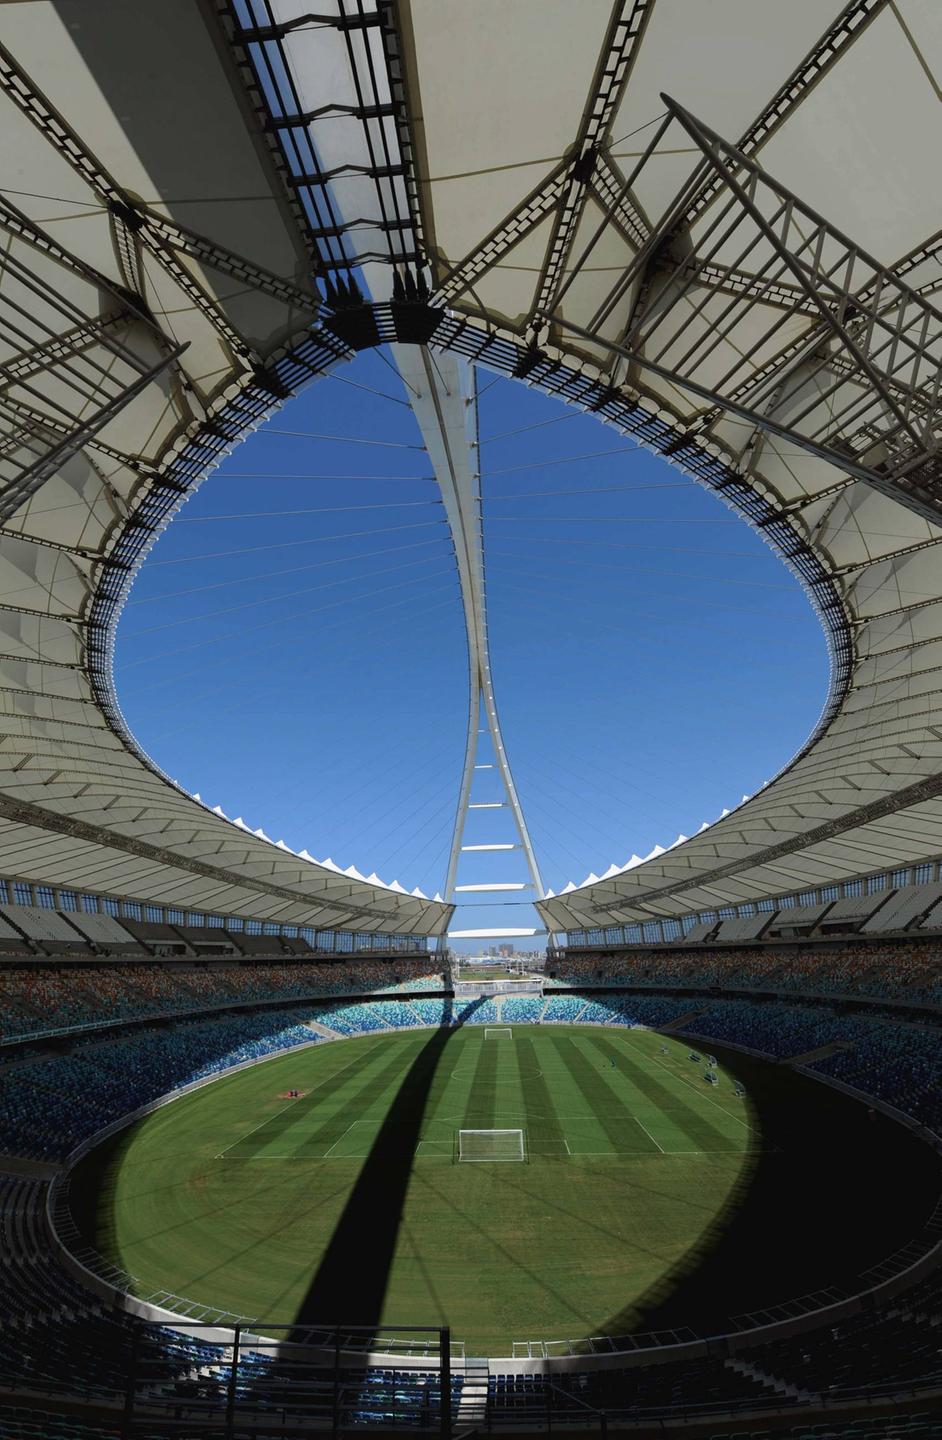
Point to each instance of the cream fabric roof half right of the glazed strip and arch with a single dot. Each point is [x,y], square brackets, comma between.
[537,201]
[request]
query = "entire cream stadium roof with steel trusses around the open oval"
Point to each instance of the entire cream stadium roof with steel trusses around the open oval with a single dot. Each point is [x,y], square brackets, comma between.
[714,225]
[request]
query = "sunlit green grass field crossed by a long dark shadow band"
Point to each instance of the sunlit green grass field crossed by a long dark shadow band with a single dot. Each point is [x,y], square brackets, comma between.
[349,1205]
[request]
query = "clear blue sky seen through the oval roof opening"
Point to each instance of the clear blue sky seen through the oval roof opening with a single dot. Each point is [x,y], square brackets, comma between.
[293,649]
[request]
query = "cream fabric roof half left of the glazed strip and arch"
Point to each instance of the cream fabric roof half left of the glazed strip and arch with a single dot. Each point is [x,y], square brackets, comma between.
[152,248]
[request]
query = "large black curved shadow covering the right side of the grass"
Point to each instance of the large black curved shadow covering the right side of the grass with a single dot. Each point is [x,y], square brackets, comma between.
[827,1190]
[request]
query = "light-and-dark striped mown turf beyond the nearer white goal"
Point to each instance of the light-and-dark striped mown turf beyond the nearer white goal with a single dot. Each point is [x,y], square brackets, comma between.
[584,1095]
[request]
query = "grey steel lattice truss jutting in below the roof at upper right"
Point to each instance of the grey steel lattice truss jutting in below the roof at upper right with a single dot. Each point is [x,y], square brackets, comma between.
[861,388]
